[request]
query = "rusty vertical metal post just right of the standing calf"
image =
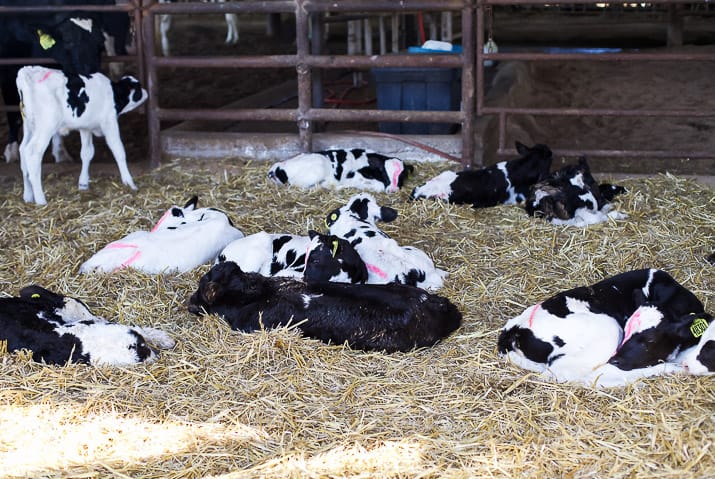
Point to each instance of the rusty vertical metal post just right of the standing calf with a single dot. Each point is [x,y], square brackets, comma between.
[152,113]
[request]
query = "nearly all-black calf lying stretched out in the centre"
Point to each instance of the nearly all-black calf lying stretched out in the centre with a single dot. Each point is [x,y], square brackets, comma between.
[389,318]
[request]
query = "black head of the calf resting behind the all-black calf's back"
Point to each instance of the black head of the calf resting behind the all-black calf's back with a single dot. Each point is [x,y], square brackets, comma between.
[330,258]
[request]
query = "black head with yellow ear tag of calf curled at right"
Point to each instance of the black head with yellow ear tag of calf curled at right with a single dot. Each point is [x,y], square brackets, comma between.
[652,334]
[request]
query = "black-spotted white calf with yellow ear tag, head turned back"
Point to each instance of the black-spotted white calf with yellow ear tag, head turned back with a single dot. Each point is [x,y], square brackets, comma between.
[385,259]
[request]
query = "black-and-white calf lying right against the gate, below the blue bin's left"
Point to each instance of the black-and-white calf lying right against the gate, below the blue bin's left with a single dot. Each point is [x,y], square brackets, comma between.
[355,168]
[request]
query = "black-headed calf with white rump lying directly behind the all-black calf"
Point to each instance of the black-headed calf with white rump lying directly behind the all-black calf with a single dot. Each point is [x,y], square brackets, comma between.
[316,257]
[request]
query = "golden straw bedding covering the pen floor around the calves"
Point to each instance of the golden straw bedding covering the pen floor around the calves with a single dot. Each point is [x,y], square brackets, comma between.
[272,404]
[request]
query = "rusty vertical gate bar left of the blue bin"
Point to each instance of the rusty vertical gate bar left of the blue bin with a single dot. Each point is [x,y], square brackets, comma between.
[305,97]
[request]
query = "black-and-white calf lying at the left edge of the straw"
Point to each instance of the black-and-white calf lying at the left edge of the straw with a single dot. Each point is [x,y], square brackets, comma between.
[59,329]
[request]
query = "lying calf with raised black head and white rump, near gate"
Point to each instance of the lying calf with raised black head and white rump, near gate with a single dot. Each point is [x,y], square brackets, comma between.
[506,182]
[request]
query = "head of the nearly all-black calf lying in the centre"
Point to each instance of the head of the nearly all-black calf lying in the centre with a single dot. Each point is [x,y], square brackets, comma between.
[226,286]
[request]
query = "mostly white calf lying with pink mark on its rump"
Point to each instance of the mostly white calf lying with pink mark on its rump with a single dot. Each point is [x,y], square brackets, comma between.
[182,239]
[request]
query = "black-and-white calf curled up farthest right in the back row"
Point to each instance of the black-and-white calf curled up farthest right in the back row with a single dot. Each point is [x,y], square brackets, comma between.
[571,196]
